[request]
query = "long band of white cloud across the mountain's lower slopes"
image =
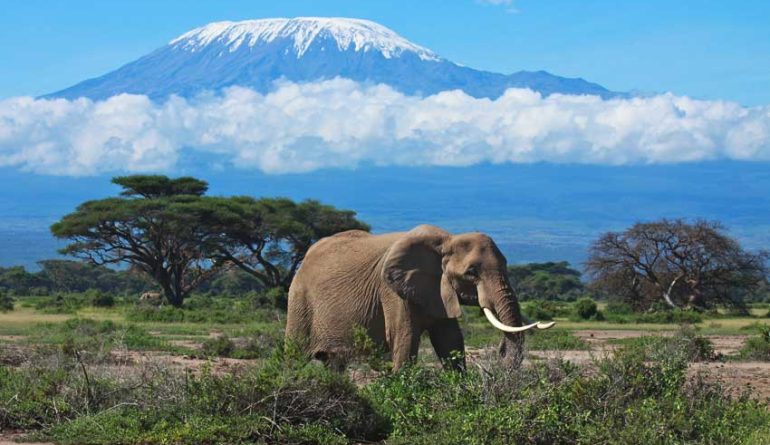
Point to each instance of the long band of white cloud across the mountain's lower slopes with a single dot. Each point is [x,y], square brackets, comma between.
[302,127]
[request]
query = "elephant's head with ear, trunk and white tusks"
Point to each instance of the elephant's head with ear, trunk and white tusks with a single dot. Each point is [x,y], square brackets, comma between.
[438,271]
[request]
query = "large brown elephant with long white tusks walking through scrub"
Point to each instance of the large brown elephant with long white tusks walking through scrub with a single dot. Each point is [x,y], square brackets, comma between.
[398,285]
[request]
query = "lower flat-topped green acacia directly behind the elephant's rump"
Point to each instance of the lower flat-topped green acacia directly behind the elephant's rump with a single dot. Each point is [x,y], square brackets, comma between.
[269,237]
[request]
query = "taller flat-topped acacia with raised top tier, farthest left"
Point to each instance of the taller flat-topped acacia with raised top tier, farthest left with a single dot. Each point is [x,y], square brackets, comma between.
[154,226]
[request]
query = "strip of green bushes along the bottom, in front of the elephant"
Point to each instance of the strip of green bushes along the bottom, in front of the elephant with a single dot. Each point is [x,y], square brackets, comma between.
[629,398]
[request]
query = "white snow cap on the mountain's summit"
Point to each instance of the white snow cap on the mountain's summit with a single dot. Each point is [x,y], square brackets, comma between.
[362,35]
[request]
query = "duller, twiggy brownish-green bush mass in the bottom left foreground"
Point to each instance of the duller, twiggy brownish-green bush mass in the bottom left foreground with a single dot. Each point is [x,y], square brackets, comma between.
[285,400]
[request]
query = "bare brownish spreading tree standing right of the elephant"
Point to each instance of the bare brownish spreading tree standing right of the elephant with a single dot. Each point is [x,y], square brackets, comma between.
[684,265]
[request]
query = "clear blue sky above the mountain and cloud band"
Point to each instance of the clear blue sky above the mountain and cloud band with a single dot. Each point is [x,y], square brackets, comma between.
[704,49]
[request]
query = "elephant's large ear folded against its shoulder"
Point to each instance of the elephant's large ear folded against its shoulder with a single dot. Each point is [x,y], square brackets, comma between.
[414,271]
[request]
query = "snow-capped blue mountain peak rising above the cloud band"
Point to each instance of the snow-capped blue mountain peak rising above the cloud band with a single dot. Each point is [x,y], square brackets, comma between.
[256,53]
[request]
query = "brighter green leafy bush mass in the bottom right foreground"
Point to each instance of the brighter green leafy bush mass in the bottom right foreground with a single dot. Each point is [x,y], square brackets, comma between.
[627,400]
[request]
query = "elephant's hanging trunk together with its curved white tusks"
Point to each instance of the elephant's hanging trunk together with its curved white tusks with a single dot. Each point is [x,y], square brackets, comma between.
[501,308]
